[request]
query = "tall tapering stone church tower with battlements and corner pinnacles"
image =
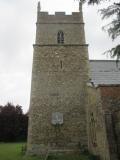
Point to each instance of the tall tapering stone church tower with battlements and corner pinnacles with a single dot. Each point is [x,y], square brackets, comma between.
[57,119]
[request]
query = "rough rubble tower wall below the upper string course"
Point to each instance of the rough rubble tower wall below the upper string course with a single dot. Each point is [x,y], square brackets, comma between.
[57,88]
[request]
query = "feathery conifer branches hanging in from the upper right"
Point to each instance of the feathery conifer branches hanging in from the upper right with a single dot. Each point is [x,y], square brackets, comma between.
[113,28]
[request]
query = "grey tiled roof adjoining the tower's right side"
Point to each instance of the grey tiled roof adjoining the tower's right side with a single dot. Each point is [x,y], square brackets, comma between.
[104,72]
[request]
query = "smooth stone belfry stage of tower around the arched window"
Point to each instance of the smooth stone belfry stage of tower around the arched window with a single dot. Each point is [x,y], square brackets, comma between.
[48,35]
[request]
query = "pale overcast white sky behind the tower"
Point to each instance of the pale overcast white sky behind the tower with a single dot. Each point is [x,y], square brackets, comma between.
[17,35]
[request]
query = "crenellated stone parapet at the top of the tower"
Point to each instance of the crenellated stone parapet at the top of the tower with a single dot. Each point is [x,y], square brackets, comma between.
[59,17]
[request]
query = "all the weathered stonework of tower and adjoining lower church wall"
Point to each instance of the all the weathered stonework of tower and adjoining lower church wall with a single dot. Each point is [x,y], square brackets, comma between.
[90,115]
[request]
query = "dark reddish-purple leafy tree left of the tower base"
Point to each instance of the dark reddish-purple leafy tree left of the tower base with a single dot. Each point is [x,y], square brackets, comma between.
[13,123]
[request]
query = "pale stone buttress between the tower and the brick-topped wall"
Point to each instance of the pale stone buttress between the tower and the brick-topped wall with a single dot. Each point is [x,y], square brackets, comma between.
[97,137]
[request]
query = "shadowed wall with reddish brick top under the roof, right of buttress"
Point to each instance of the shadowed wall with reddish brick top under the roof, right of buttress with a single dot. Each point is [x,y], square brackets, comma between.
[111,104]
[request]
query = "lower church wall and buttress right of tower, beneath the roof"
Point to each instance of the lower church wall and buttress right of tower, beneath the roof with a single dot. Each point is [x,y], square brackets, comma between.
[103,121]
